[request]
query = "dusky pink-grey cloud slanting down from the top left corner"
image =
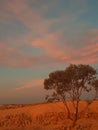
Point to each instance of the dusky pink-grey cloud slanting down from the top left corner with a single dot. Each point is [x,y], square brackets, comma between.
[34,17]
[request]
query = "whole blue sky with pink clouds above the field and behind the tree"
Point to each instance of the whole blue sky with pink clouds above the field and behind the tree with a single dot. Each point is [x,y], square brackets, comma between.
[40,36]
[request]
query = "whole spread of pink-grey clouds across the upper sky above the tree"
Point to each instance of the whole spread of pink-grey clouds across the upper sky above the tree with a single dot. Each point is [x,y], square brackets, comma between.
[50,43]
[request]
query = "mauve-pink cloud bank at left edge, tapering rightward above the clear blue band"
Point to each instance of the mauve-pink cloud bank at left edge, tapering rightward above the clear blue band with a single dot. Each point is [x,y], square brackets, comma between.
[14,57]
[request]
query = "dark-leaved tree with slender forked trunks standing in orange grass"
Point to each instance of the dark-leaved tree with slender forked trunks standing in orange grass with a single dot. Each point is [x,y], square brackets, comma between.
[72,82]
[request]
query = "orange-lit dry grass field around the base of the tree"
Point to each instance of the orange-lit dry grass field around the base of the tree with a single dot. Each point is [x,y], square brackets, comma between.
[46,116]
